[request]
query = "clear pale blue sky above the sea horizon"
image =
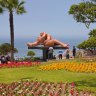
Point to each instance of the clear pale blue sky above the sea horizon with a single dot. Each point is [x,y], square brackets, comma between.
[50,16]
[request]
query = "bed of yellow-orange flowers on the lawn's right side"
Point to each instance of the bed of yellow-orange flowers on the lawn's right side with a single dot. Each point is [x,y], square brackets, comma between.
[71,66]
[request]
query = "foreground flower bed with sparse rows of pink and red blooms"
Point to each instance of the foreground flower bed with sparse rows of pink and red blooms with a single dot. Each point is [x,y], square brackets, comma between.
[37,88]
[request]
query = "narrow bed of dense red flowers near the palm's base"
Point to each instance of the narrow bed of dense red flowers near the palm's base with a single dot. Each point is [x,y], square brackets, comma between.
[19,64]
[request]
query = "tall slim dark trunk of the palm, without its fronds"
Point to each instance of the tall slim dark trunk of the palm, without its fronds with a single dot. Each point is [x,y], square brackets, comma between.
[11,35]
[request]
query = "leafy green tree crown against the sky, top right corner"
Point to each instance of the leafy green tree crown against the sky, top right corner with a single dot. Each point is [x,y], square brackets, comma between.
[84,12]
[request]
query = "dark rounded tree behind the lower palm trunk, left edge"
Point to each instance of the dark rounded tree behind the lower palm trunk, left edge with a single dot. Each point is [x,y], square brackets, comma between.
[5,48]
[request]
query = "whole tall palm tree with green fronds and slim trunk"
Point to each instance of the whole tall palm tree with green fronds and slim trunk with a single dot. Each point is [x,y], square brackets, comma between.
[12,6]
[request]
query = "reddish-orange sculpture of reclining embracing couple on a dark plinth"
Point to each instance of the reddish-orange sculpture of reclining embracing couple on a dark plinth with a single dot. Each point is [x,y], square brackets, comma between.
[46,40]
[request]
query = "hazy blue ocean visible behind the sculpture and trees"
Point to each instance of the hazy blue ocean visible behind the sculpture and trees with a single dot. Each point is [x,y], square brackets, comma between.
[20,44]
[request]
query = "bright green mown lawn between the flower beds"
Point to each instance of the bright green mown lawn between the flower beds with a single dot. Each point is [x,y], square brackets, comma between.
[82,80]
